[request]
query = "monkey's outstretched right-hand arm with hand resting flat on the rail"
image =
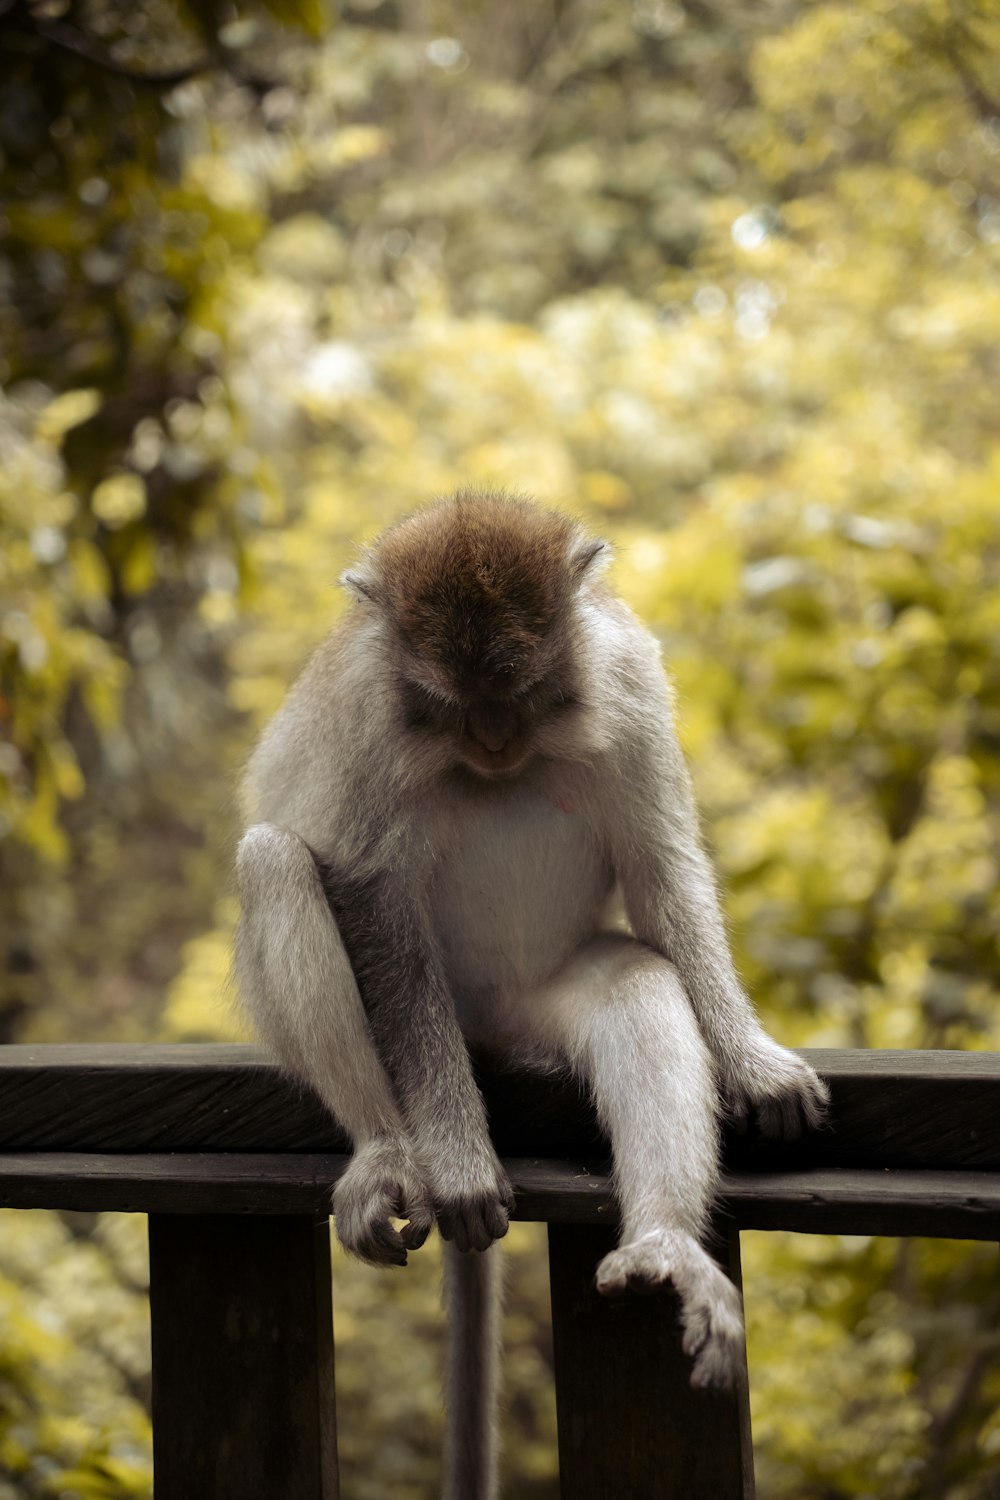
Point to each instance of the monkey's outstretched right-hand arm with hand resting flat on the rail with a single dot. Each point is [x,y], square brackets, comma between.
[672,904]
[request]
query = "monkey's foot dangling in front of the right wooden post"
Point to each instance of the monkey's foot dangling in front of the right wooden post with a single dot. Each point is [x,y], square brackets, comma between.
[711,1309]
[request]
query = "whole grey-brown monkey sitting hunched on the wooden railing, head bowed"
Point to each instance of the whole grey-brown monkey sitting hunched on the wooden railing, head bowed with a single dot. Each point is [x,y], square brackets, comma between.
[476,770]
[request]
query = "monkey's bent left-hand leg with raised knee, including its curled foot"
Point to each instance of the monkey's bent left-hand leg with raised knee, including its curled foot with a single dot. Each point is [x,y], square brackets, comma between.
[301,994]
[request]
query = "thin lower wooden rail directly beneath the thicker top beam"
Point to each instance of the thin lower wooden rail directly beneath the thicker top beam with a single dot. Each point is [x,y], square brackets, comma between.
[957,1205]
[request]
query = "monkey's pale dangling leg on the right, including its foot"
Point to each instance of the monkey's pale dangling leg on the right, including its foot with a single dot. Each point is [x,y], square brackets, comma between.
[620,1015]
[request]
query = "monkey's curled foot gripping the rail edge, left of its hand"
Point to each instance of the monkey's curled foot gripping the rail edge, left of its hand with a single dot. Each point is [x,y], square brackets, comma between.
[383,1183]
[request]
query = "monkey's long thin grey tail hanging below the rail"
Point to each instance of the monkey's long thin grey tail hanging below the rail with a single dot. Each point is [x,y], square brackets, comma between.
[475,1303]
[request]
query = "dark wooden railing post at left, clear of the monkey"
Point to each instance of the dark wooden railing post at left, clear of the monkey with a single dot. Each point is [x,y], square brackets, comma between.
[242,1319]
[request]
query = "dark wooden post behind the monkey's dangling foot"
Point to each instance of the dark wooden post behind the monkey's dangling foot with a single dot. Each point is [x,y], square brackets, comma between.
[629,1421]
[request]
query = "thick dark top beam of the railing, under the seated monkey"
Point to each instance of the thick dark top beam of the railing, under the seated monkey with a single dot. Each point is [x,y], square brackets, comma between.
[891,1109]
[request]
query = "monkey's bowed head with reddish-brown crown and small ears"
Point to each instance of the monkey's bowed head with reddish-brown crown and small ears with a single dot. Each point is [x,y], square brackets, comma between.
[479,595]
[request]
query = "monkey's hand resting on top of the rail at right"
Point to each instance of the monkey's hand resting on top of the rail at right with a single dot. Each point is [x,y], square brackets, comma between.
[771,1087]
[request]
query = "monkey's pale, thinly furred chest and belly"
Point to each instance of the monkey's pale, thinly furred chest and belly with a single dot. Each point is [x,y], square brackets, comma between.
[516,893]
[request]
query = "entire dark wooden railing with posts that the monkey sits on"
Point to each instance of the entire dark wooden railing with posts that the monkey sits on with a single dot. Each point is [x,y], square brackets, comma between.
[235,1168]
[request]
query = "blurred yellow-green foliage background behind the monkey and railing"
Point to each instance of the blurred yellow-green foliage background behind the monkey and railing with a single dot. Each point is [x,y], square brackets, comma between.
[720,278]
